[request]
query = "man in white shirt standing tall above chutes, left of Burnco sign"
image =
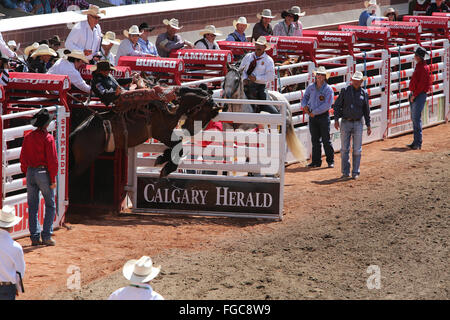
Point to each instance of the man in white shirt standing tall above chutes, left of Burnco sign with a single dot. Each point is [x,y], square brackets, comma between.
[86,36]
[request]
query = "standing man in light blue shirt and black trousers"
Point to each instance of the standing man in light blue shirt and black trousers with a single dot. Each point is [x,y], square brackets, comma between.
[316,104]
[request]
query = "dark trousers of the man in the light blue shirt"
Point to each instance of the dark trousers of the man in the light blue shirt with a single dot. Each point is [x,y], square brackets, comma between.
[319,127]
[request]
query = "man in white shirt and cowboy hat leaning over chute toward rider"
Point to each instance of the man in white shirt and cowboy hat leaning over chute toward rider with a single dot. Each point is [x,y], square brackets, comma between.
[70,65]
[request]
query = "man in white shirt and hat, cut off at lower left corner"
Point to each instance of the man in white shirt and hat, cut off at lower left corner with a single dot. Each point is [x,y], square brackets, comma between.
[12,263]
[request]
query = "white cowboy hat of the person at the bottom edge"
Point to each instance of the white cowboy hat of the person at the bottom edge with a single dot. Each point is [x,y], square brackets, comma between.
[140,271]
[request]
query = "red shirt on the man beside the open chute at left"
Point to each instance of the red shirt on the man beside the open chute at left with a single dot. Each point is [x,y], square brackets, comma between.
[38,149]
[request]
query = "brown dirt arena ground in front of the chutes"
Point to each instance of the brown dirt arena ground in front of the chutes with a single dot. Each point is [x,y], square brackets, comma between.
[396,217]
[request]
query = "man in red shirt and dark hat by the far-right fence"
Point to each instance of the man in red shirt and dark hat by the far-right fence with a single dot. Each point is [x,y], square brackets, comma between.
[419,85]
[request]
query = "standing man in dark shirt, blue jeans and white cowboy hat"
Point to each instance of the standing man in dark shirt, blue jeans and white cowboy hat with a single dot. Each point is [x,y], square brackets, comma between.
[352,105]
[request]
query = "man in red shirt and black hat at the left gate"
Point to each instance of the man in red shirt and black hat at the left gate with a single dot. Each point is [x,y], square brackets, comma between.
[38,160]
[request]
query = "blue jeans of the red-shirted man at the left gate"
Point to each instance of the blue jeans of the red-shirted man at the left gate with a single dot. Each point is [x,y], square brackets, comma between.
[39,180]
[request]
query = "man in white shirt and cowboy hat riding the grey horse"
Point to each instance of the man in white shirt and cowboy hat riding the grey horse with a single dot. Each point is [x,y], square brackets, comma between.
[258,70]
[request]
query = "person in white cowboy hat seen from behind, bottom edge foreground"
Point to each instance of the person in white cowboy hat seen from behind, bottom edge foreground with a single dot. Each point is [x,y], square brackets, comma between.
[139,273]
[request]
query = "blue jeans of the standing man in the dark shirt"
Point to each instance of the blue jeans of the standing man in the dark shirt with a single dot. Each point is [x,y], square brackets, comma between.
[351,130]
